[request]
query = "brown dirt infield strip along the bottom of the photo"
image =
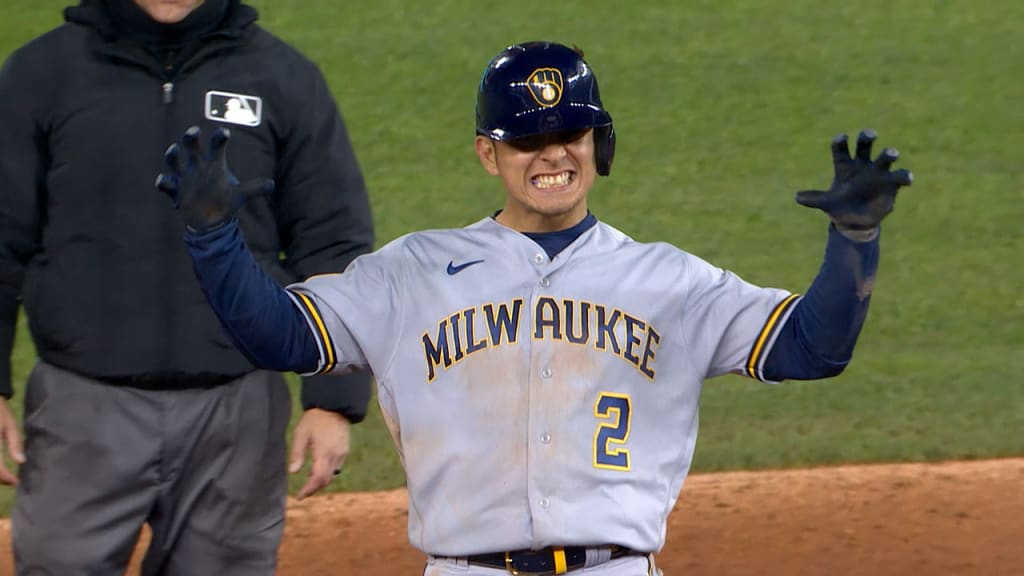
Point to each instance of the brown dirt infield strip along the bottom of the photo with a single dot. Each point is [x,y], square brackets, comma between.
[958,519]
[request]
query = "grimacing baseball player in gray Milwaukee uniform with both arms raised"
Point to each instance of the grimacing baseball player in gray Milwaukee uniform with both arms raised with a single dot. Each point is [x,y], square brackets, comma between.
[558,362]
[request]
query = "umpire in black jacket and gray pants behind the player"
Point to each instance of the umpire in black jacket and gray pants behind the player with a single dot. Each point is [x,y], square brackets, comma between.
[140,409]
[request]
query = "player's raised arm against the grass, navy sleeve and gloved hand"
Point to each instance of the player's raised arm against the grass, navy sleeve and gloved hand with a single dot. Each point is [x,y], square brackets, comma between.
[819,339]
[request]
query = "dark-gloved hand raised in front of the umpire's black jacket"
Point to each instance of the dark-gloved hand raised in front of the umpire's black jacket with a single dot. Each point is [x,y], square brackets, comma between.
[202,186]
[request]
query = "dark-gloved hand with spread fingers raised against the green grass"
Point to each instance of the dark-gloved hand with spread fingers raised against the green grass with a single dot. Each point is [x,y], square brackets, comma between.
[863,192]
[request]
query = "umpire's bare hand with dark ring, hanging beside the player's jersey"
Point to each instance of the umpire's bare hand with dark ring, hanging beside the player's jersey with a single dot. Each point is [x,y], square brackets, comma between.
[326,435]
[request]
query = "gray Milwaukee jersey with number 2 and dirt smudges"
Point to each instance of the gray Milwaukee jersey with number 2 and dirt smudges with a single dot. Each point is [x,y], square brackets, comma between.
[534,401]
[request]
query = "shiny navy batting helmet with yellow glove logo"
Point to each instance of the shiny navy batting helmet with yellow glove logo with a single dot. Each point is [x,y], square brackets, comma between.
[542,88]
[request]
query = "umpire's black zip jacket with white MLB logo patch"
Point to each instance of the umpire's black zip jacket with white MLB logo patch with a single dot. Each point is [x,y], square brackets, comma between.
[95,253]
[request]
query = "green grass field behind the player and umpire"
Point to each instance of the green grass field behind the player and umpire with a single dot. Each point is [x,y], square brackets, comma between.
[723,110]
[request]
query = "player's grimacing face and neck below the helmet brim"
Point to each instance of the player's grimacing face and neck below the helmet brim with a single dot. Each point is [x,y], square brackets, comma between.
[547,179]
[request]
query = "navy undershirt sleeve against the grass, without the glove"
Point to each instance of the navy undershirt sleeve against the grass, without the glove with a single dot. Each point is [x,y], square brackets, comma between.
[818,340]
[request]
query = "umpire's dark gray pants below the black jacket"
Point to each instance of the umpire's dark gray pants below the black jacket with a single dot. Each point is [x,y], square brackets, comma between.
[204,468]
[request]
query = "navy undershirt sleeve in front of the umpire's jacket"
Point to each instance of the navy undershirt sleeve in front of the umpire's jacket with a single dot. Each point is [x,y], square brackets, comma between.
[258,314]
